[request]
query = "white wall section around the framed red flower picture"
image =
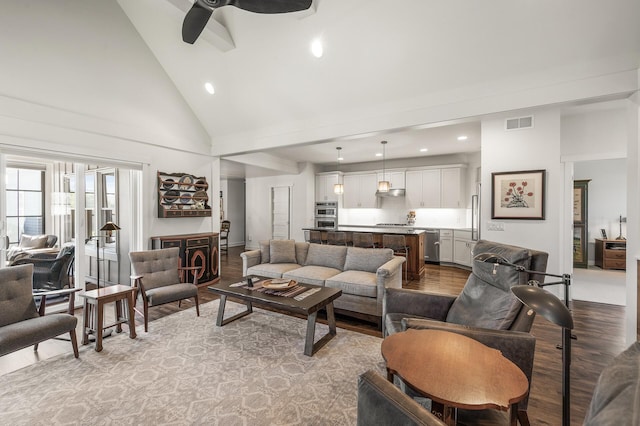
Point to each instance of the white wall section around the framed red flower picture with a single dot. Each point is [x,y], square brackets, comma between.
[537,148]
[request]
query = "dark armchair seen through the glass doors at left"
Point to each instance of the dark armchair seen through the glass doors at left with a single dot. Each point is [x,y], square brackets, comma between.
[51,273]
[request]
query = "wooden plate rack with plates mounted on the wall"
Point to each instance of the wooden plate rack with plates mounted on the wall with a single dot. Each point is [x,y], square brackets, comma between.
[182,195]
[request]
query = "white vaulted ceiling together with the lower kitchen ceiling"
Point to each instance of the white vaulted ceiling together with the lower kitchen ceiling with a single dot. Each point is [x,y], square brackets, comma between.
[378,56]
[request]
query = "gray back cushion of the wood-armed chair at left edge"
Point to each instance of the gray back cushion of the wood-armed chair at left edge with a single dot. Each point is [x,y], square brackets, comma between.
[16,298]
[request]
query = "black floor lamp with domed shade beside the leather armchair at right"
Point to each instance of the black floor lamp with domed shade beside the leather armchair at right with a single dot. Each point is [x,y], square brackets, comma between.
[551,308]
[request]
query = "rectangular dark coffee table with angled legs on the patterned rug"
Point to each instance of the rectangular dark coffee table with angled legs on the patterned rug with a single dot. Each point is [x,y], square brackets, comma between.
[323,297]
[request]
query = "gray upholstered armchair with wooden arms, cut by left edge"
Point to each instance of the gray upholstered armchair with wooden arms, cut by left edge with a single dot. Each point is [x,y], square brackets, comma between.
[21,324]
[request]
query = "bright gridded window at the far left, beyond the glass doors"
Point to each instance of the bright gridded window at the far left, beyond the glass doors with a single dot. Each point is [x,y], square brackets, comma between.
[25,202]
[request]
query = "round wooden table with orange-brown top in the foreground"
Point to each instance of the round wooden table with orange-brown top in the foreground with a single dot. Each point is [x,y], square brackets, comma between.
[455,371]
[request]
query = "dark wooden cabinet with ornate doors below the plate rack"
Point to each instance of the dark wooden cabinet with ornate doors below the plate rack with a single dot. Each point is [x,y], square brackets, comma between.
[195,250]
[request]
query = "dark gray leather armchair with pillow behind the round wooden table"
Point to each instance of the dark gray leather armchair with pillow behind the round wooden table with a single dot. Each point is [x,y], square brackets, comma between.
[486,310]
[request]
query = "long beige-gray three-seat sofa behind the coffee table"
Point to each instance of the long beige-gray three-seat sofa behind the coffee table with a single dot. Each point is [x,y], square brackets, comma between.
[361,274]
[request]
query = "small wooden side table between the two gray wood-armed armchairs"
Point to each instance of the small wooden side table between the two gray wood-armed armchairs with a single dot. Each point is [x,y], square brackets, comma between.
[93,315]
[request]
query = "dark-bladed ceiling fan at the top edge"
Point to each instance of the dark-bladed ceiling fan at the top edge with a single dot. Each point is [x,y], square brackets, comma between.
[199,14]
